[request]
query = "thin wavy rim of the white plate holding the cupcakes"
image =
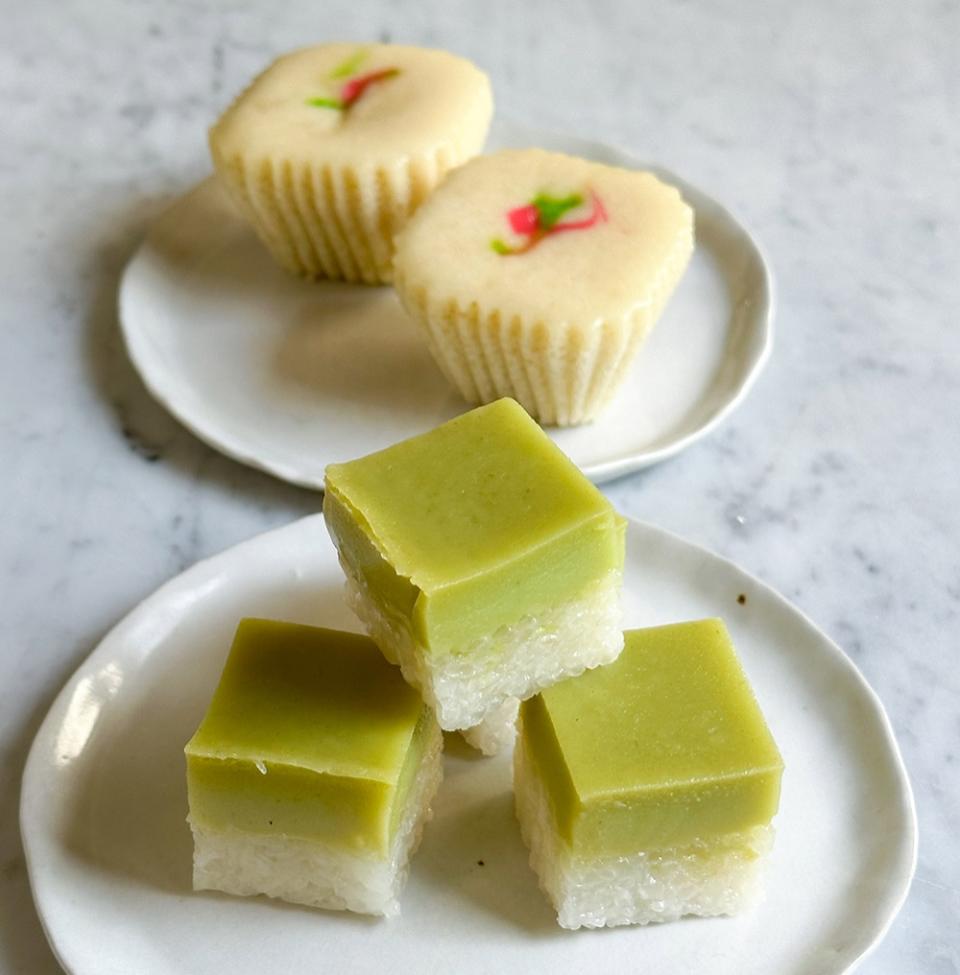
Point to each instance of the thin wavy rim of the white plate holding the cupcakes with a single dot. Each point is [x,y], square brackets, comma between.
[599,472]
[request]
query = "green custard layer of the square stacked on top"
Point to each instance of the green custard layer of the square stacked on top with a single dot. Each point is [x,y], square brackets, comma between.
[471,526]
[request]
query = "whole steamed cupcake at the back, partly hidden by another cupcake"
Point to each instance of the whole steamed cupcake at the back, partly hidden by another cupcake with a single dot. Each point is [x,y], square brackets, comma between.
[330,150]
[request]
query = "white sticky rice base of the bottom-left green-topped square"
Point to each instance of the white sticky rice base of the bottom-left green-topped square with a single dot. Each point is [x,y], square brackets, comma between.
[308,872]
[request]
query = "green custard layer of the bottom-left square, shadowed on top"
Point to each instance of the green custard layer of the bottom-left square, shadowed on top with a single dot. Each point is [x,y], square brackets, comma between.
[310,734]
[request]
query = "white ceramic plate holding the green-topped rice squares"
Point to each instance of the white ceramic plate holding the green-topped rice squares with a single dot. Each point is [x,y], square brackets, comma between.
[109,852]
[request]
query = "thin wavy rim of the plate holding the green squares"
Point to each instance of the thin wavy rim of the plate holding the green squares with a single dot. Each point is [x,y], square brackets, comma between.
[36,768]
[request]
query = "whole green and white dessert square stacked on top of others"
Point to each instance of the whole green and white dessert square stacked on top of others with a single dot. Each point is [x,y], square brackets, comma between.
[480,559]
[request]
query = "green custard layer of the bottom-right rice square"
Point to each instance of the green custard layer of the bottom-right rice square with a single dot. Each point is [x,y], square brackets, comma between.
[664,746]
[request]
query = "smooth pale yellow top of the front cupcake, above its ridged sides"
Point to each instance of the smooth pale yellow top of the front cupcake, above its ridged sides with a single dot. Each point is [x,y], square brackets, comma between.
[545,236]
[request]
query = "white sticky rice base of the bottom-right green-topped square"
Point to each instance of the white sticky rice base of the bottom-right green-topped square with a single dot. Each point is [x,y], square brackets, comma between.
[722,876]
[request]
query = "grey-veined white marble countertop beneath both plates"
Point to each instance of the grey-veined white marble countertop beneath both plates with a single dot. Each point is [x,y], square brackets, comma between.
[830,127]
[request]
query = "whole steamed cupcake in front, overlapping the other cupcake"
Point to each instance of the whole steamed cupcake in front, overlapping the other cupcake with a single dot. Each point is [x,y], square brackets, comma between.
[537,276]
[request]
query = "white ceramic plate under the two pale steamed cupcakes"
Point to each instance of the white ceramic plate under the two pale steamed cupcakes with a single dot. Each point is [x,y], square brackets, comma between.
[288,375]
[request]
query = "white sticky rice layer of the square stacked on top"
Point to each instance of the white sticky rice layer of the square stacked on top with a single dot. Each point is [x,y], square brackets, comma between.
[516,660]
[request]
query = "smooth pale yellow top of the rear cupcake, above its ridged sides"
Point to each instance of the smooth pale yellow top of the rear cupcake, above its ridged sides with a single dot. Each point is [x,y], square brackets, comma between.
[353,104]
